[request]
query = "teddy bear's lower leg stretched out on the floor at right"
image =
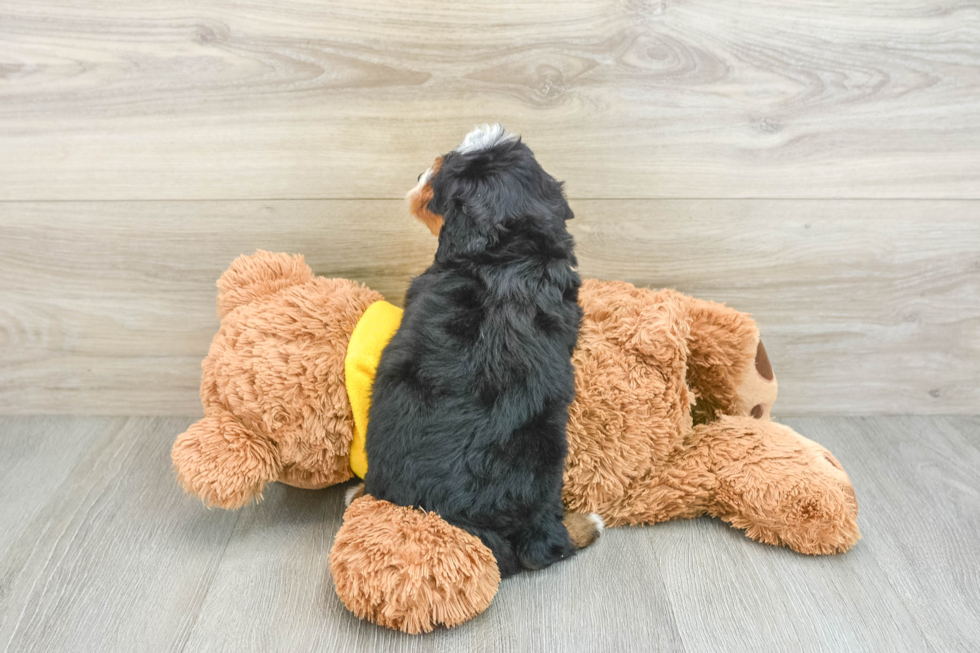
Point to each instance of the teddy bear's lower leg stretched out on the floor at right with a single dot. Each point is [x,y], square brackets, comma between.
[778,486]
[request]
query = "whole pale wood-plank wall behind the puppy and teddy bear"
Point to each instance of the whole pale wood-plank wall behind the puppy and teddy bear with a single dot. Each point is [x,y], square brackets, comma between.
[816,163]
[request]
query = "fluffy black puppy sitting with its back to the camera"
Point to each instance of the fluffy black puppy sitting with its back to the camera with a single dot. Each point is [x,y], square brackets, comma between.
[471,396]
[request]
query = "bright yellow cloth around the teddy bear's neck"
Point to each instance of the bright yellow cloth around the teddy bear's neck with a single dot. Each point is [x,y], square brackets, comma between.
[371,335]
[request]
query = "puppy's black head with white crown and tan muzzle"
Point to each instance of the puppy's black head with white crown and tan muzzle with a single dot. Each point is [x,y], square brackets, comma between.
[489,184]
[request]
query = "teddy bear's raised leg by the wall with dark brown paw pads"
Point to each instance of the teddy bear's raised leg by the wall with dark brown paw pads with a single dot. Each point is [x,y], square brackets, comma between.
[728,367]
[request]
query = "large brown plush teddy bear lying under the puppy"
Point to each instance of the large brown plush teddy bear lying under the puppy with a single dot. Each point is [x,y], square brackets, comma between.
[671,420]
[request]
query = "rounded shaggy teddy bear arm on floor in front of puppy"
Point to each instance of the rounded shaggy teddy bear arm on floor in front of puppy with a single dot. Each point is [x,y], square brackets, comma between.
[410,570]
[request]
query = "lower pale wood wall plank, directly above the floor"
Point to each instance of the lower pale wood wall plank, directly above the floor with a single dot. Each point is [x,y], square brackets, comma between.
[865,306]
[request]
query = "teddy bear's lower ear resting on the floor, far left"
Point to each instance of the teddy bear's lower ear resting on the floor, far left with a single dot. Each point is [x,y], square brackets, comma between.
[224,463]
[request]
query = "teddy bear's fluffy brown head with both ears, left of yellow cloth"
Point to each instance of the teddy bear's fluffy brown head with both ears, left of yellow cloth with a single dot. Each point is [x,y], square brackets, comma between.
[273,383]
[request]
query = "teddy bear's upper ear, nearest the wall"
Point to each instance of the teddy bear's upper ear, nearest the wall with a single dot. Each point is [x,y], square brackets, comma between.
[259,275]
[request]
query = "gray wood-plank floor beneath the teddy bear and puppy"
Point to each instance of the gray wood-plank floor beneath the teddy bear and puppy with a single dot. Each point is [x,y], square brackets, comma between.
[100,551]
